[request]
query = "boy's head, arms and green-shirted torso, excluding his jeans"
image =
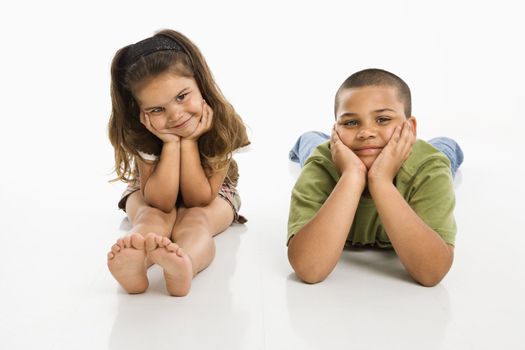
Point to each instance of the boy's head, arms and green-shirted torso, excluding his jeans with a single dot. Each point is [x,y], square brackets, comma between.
[373,184]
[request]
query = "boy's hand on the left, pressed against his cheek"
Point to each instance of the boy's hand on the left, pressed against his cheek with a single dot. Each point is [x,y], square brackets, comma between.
[345,160]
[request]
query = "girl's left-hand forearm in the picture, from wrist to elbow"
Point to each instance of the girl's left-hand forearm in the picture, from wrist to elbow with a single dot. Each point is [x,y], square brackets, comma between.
[162,186]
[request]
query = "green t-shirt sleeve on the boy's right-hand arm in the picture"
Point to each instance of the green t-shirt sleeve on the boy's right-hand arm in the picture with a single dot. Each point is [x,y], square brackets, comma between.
[433,198]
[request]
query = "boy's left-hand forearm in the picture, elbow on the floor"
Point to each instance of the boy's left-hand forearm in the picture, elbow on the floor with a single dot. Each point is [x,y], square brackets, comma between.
[314,251]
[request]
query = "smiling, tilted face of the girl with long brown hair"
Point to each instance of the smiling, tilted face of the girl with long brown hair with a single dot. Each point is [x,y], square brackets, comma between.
[172,102]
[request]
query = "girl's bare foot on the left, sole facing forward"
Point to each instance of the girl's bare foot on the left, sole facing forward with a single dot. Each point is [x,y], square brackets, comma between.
[127,263]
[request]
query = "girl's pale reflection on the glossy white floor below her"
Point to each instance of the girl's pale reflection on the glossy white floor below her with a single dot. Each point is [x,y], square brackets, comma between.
[204,319]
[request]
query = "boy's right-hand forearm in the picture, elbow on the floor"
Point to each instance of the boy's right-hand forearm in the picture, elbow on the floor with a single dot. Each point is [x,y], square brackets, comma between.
[425,255]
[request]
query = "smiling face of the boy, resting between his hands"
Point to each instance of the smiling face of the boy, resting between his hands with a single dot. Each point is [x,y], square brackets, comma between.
[366,119]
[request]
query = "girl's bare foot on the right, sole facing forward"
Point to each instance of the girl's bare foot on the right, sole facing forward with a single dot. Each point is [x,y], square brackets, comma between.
[178,270]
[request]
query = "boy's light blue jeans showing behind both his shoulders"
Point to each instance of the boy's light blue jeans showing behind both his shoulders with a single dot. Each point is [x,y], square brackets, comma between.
[308,141]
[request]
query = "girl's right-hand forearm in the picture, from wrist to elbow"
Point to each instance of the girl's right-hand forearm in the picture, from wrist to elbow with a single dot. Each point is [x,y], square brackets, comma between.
[194,185]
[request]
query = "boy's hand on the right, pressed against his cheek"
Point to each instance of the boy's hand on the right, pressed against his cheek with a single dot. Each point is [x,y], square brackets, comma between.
[397,150]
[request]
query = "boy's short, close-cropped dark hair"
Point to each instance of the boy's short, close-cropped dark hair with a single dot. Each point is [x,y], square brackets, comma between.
[377,77]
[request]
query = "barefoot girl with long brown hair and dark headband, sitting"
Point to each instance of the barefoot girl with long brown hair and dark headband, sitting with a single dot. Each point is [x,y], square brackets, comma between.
[173,133]
